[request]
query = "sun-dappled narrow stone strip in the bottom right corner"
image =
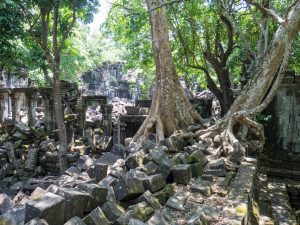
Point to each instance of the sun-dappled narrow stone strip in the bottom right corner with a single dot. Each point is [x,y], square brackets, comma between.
[281,208]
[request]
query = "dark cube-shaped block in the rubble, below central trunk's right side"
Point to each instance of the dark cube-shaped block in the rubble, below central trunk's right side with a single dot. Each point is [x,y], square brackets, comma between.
[182,173]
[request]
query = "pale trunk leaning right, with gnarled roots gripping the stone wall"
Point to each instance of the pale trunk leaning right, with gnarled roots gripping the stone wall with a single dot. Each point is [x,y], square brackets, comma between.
[258,92]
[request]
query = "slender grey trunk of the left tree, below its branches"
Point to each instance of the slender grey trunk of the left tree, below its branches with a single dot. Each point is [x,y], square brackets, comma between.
[62,134]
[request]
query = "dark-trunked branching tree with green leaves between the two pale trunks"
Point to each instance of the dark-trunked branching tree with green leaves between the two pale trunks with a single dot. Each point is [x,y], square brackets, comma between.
[206,41]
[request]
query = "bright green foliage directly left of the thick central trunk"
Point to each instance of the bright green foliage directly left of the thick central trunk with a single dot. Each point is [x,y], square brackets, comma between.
[128,25]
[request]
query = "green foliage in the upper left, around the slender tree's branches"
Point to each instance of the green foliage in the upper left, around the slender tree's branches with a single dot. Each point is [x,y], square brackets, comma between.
[21,38]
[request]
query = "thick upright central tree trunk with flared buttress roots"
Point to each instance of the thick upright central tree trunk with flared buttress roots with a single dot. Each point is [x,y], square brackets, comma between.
[170,109]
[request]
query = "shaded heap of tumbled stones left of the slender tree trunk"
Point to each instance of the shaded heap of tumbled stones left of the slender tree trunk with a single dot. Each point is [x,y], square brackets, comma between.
[27,152]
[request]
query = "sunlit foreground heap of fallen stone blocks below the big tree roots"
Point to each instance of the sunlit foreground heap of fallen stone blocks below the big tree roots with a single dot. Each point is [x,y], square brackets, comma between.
[174,182]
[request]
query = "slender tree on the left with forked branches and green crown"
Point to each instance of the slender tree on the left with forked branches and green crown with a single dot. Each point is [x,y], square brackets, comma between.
[51,23]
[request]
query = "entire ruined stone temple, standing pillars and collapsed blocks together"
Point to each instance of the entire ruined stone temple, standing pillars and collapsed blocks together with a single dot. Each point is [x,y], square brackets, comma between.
[176,181]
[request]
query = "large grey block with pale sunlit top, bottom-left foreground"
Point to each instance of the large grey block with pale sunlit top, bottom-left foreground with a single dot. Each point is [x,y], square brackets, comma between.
[49,207]
